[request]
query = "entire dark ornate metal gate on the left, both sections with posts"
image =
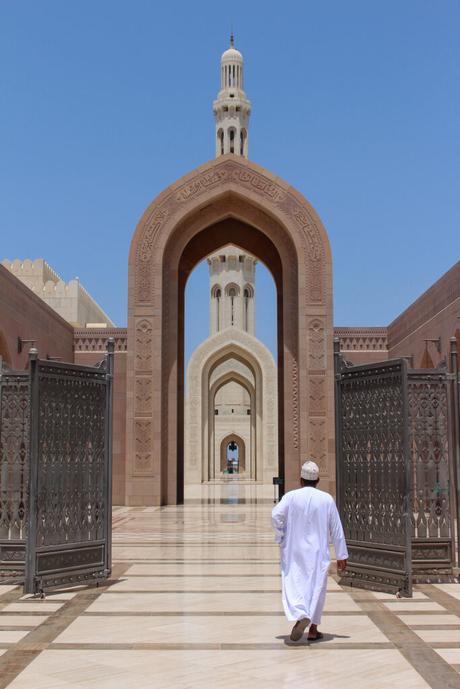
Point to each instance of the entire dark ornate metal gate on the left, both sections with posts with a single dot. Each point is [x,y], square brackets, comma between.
[55,472]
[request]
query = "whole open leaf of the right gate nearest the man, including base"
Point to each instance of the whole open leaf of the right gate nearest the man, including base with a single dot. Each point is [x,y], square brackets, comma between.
[373,474]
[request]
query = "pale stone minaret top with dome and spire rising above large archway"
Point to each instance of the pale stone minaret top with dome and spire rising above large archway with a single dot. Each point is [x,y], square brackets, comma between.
[232,108]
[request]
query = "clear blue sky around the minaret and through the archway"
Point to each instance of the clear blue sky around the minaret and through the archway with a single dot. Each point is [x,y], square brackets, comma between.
[356,103]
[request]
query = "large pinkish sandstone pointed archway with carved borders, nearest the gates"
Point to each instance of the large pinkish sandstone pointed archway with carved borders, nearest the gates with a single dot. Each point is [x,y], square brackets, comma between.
[227,200]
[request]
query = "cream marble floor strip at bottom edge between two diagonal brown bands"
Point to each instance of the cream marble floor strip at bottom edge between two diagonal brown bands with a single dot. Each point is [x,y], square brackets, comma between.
[378,669]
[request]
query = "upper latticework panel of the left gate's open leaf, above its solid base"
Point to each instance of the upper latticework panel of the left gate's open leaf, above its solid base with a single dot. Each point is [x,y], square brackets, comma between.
[70,490]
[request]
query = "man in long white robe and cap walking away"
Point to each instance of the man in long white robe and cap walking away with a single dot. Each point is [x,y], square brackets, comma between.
[305,521]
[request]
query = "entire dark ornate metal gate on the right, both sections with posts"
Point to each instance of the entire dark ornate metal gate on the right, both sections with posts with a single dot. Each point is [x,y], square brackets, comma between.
[394,477]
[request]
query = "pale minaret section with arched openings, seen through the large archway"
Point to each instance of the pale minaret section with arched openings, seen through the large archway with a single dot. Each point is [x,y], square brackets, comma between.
[232,294]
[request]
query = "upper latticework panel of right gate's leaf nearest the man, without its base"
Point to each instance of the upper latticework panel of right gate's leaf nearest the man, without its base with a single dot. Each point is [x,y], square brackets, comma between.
[373,456]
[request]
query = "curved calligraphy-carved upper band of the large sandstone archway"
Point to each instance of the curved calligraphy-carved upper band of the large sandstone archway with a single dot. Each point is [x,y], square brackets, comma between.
[247,179]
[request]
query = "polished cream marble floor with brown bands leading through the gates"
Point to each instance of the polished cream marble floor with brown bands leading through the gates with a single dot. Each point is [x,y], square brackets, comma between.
[194,602]
